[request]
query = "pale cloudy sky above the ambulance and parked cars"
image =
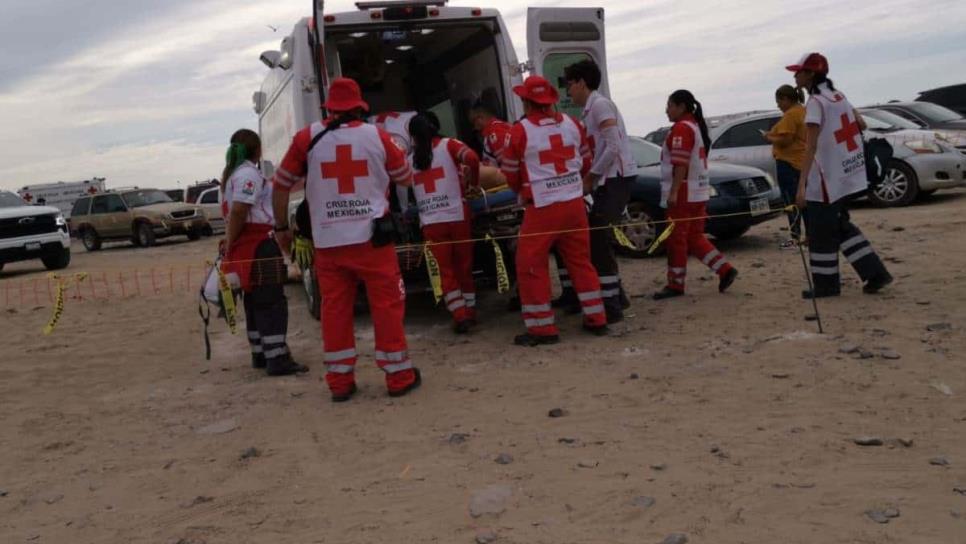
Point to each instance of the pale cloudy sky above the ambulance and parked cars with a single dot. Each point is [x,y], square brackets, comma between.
[147,93]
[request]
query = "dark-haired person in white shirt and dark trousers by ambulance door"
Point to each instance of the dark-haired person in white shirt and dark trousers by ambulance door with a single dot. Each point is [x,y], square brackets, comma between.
[609,182]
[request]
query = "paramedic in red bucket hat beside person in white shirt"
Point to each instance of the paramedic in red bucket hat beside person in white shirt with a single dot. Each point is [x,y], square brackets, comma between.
[545,163]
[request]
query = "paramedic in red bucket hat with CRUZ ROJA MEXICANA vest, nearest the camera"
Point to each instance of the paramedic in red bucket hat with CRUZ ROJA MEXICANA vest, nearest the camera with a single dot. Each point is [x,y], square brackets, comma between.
[348,166]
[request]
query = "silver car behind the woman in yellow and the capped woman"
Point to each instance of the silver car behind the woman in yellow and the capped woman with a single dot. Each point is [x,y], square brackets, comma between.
[921,160]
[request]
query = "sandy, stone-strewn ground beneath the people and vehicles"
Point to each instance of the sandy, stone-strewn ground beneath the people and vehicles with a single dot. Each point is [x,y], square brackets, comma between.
[721,417]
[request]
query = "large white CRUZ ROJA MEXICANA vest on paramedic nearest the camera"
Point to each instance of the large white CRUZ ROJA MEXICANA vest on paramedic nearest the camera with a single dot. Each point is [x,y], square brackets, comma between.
[346,185]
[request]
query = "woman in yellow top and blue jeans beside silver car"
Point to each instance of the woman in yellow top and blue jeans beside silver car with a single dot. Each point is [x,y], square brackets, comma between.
[788,148]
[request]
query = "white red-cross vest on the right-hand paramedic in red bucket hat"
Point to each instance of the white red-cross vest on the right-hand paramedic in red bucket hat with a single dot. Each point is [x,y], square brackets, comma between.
[553,160]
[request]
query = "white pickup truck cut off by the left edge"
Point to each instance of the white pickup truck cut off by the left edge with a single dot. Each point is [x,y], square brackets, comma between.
[32,232]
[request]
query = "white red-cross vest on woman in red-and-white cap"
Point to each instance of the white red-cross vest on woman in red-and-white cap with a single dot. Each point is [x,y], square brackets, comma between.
[839,156]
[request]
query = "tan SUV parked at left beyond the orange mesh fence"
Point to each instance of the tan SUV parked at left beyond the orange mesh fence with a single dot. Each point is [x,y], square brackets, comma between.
[139,215]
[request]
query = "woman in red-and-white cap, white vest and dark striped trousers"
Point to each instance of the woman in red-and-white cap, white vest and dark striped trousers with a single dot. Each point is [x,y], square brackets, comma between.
[833,172]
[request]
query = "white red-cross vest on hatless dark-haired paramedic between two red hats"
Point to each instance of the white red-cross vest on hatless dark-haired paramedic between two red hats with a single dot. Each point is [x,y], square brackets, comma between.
[438,191]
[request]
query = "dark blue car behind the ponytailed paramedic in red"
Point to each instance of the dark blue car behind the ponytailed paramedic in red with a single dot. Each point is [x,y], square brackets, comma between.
[748,196]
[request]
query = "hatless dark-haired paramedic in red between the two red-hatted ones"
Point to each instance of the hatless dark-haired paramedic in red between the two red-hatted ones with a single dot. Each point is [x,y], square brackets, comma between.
[443,168]
